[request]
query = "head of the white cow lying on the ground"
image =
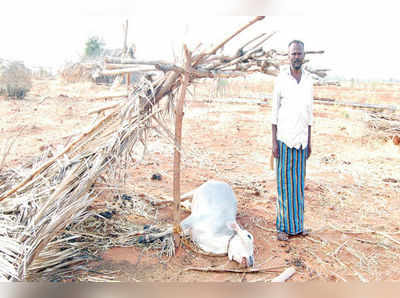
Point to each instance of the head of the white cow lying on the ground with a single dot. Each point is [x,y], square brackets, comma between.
[240,247]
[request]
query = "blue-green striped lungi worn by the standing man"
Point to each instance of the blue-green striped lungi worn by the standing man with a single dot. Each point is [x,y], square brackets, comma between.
[290,171]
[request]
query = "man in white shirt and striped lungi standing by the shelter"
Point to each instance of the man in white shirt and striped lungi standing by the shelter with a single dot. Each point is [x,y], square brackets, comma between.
[291,140]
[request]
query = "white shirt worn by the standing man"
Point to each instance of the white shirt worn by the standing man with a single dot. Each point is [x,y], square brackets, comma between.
[292,105]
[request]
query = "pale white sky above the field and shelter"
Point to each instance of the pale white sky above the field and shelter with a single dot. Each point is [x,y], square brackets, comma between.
[360,39]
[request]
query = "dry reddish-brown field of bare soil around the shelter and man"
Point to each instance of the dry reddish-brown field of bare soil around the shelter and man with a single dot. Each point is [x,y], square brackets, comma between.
[352,183]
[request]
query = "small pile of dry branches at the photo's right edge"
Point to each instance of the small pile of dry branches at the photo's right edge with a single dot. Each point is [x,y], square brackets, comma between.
[386,125]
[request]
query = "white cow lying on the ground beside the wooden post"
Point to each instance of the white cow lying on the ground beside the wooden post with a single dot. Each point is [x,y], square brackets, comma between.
[213,225]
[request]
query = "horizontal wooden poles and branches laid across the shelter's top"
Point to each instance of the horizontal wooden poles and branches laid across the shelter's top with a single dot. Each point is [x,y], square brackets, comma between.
[250,58]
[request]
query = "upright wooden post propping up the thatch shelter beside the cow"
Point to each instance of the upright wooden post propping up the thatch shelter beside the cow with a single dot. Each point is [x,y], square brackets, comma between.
[178,142]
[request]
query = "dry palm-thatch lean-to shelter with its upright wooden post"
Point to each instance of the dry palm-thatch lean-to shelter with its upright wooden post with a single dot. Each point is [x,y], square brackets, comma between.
[46,226]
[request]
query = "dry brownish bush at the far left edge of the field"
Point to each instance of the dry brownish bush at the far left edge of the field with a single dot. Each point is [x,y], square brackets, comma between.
[15,78]
